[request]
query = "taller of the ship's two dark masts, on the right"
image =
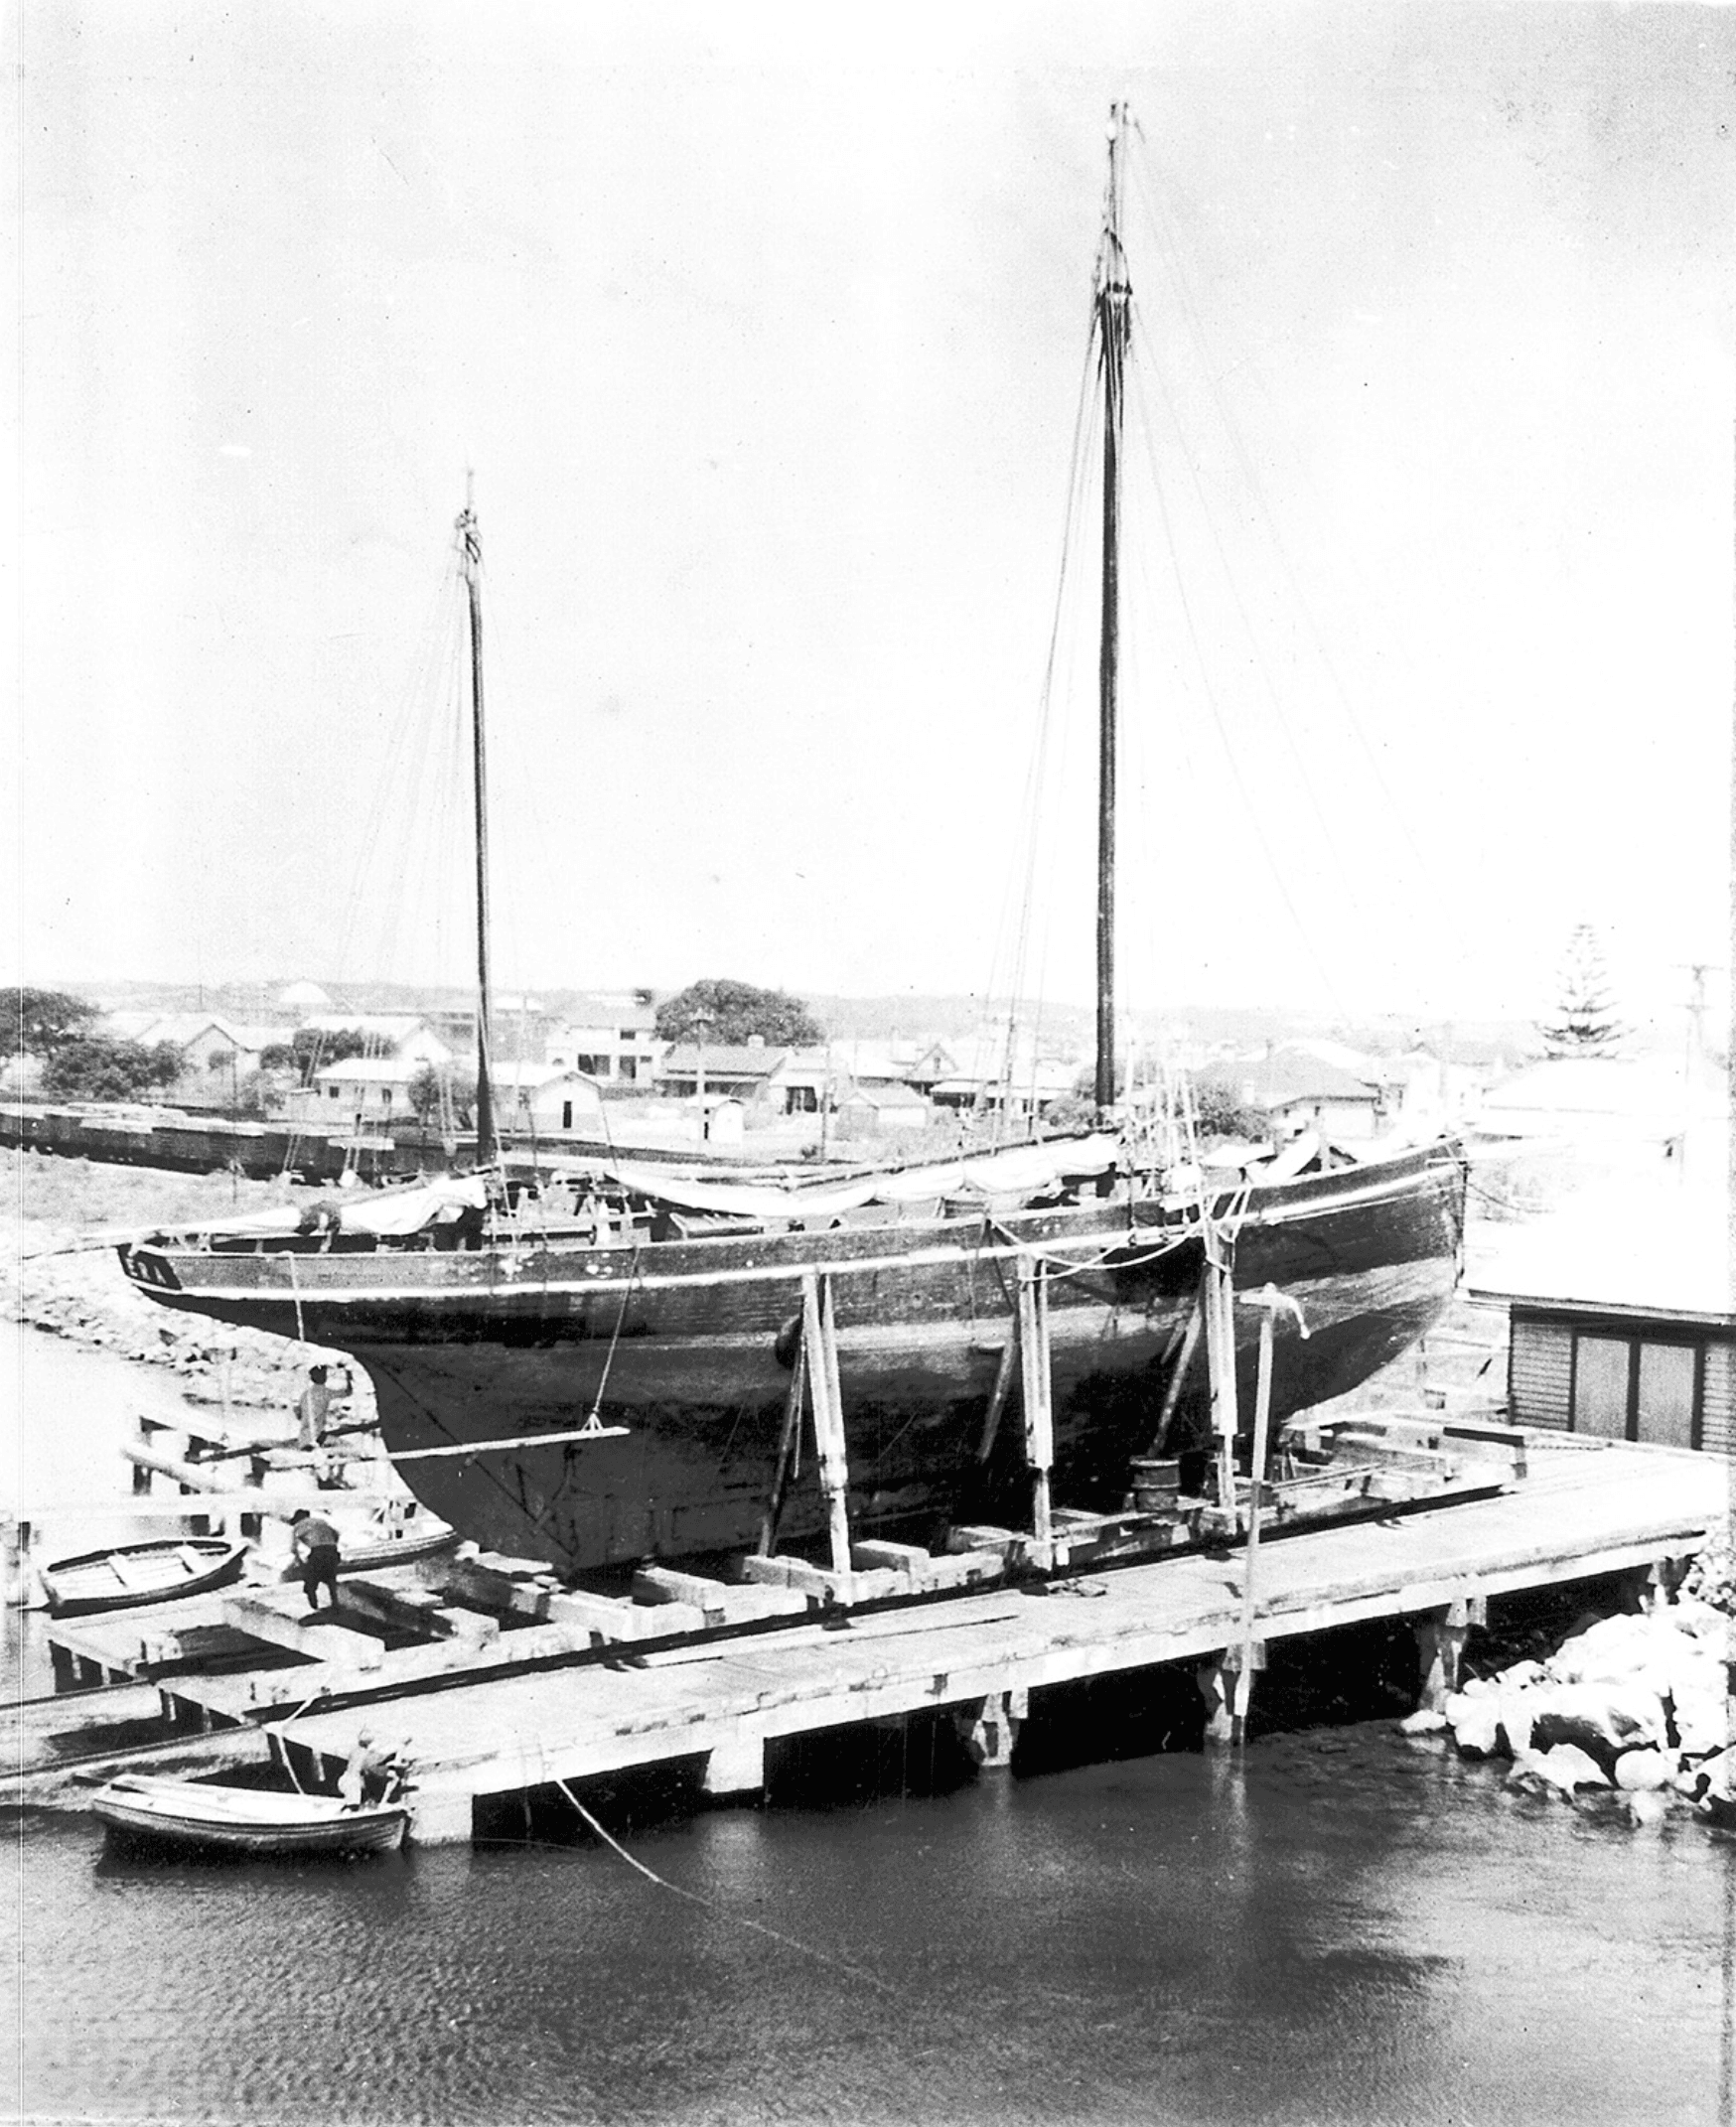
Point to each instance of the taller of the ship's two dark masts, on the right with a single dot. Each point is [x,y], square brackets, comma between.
[1114,303]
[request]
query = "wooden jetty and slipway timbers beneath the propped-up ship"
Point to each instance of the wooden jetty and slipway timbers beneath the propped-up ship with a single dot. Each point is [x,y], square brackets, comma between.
[501,1681]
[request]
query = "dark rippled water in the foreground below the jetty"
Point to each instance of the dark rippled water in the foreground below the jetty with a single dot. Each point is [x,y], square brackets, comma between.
[1339,1928]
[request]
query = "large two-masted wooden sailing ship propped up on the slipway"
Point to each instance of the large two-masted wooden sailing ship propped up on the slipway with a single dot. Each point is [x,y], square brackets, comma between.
[610,1392]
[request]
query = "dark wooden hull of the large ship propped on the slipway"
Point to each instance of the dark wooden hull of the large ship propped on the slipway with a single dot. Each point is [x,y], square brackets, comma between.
[688,1347]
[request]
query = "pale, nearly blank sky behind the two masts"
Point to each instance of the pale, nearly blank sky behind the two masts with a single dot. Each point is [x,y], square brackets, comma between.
[763,333]
